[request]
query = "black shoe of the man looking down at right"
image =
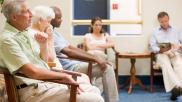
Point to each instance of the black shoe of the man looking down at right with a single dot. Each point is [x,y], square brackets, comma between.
[175,93]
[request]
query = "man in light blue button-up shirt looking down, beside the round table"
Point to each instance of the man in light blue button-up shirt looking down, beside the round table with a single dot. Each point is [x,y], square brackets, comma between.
[165,42]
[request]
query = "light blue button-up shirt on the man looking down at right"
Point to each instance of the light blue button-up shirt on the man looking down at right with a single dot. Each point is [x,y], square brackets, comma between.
[160,35]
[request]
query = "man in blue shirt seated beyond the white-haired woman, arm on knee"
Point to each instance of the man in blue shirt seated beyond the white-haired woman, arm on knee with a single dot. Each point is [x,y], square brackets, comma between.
[100,69]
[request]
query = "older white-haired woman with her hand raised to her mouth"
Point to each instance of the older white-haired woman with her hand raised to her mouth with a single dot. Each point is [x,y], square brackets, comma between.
[41,30]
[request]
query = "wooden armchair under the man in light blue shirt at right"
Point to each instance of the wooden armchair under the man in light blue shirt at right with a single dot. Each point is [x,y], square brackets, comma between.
[154,69]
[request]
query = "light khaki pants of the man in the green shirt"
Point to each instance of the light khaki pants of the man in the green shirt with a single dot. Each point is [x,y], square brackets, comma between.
[53,92]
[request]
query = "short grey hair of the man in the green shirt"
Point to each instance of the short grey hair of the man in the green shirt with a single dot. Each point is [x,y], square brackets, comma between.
[10,7]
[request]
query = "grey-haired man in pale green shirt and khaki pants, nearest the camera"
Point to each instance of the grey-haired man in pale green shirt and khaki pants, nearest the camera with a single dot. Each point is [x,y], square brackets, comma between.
[18,53]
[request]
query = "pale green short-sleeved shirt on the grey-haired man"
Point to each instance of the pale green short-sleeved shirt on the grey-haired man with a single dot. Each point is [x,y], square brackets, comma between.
[17,49]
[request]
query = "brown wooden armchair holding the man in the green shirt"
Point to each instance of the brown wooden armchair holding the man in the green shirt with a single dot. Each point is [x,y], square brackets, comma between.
[12,91]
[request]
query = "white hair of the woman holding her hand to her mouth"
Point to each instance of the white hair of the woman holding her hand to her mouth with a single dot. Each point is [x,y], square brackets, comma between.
[42,12]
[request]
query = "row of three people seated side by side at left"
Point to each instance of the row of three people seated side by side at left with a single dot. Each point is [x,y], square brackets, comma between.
[27,50]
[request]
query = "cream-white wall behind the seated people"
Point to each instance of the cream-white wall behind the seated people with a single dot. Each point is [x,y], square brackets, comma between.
[150,9]
